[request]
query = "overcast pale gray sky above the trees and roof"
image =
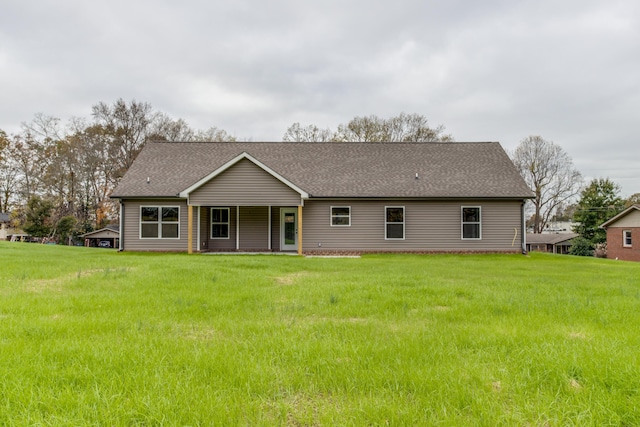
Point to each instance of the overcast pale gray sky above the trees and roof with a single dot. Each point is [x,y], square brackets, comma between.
[568,70]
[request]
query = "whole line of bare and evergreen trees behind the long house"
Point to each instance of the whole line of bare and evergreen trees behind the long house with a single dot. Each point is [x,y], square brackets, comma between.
[56,179]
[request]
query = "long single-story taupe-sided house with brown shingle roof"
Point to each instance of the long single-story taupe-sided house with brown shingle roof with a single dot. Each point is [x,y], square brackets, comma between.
[316,198]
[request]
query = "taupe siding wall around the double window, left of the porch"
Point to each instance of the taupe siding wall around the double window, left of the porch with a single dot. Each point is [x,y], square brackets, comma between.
[131,221]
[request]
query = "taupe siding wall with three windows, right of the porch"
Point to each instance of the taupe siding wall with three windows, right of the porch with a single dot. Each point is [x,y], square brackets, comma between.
[429,226]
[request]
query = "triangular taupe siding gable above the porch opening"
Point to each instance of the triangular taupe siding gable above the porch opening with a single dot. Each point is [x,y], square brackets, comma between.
[244,184]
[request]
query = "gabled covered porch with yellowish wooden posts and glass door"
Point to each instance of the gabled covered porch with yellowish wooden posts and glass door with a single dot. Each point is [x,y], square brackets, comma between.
[244,206]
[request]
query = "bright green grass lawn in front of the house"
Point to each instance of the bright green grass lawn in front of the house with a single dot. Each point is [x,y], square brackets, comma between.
[96,337]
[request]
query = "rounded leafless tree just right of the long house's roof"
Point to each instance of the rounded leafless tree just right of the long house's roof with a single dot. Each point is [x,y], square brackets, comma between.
[549,172]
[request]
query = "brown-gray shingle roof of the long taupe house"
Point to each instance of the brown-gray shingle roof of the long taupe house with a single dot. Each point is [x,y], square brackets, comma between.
[336,169]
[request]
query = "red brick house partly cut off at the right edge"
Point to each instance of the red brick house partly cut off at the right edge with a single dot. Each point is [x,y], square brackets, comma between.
[623,234]
